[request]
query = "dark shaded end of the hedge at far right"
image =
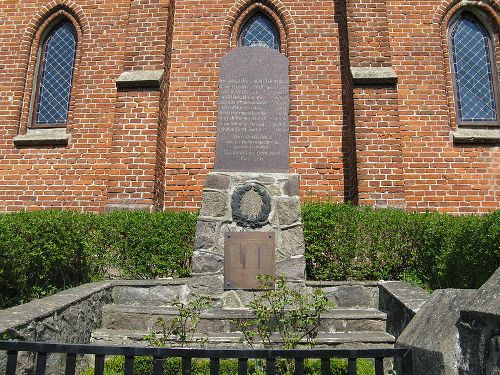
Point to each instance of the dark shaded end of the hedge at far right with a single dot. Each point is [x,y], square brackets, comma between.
[457,251]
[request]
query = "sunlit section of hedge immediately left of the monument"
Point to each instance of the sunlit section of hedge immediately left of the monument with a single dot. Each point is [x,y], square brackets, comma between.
[148,245]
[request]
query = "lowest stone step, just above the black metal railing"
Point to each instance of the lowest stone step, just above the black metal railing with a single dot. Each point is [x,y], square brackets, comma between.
[344,340]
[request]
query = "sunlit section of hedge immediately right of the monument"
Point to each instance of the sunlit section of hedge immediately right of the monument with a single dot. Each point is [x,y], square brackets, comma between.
[345,243]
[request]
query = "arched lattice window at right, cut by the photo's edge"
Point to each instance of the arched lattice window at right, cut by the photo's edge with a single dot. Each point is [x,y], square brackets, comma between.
[473,70]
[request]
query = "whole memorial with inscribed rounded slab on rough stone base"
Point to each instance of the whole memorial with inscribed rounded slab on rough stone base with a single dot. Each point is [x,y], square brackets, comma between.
[250,220]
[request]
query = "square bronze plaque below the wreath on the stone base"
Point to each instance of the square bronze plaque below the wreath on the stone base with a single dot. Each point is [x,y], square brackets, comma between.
[246,255]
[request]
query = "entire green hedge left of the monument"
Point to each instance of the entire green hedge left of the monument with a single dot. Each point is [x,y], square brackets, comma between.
[47,251]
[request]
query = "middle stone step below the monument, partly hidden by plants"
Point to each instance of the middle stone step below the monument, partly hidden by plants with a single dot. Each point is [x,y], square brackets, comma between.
[222,320]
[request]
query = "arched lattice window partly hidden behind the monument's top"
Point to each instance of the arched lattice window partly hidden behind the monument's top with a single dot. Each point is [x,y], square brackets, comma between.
[259,31]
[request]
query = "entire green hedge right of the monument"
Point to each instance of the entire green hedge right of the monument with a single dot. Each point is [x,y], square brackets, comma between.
[437,250]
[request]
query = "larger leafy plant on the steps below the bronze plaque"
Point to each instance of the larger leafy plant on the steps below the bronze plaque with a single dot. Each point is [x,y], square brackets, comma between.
[283,317]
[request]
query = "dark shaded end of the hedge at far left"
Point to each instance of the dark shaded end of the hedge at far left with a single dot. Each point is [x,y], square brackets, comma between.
[41,252]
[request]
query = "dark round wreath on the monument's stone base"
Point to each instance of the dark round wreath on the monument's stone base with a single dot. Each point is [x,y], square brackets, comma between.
[251,206]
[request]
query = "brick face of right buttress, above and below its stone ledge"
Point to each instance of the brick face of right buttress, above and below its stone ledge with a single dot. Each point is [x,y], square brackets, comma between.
[377,134]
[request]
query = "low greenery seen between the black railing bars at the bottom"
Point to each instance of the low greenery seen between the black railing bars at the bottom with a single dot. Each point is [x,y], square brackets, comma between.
[173,366]
